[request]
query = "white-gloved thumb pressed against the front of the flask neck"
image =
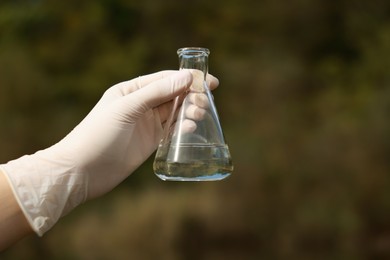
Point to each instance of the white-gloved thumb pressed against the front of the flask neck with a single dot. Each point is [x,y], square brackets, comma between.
[158,92]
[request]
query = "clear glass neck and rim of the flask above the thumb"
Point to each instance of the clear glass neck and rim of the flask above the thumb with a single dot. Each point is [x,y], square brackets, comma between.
[194,58]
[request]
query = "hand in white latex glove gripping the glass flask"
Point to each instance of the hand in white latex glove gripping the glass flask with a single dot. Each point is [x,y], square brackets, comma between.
[119,134]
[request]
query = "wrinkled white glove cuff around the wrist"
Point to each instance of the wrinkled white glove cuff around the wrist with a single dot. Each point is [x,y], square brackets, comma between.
[45,187]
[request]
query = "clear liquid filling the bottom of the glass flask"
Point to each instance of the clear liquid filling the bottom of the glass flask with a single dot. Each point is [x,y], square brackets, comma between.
[193,162]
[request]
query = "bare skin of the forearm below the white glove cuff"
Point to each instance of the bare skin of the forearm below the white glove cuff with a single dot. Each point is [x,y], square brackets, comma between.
[13,224]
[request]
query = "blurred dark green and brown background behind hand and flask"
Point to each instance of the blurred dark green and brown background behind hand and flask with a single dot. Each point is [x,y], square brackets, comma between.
[304,101]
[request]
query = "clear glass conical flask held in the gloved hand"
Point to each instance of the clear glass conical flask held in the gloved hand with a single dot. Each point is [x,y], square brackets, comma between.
[193,147]
